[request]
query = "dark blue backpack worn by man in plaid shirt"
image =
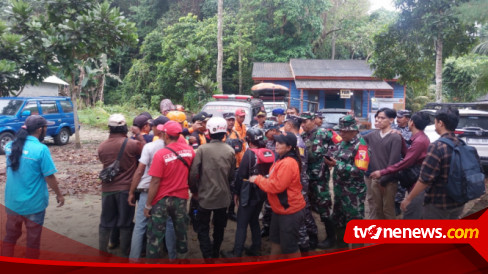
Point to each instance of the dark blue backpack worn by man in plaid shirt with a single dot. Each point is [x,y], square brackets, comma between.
[466,178]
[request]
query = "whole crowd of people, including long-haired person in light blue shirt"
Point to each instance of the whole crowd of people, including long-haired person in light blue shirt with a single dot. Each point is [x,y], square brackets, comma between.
[171,174]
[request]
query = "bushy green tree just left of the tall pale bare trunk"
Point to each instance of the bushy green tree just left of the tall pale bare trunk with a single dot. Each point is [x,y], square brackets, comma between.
[173,59]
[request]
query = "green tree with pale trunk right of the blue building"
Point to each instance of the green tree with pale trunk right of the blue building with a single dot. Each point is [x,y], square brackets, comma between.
[424,33]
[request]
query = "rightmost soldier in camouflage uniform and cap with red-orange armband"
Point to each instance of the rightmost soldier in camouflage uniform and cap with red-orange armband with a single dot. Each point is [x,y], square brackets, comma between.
[349,185]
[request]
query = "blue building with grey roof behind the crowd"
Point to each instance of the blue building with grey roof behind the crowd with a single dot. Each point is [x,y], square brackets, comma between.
[317,84]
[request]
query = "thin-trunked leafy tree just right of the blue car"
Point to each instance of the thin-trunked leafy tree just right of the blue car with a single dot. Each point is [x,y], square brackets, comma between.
[82,30]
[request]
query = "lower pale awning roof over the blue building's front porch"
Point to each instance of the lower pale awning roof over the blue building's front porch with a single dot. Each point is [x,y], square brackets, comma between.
[352,85]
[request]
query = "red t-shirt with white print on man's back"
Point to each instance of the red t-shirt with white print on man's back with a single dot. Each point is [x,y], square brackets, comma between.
[173,173]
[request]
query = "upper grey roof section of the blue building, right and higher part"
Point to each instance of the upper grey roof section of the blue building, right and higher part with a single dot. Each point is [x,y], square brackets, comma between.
[330,68]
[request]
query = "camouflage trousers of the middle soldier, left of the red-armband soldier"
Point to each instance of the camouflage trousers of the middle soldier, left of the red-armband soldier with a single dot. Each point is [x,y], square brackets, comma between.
[320,198]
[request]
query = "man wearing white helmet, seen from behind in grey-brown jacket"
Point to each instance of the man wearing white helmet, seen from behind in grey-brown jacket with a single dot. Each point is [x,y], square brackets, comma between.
[211,172]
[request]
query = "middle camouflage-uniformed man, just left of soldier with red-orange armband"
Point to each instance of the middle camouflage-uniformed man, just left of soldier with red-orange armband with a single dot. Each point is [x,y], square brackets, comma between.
[318,141]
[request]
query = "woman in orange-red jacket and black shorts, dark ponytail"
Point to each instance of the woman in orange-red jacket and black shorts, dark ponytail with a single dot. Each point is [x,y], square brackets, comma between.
[284,192]
